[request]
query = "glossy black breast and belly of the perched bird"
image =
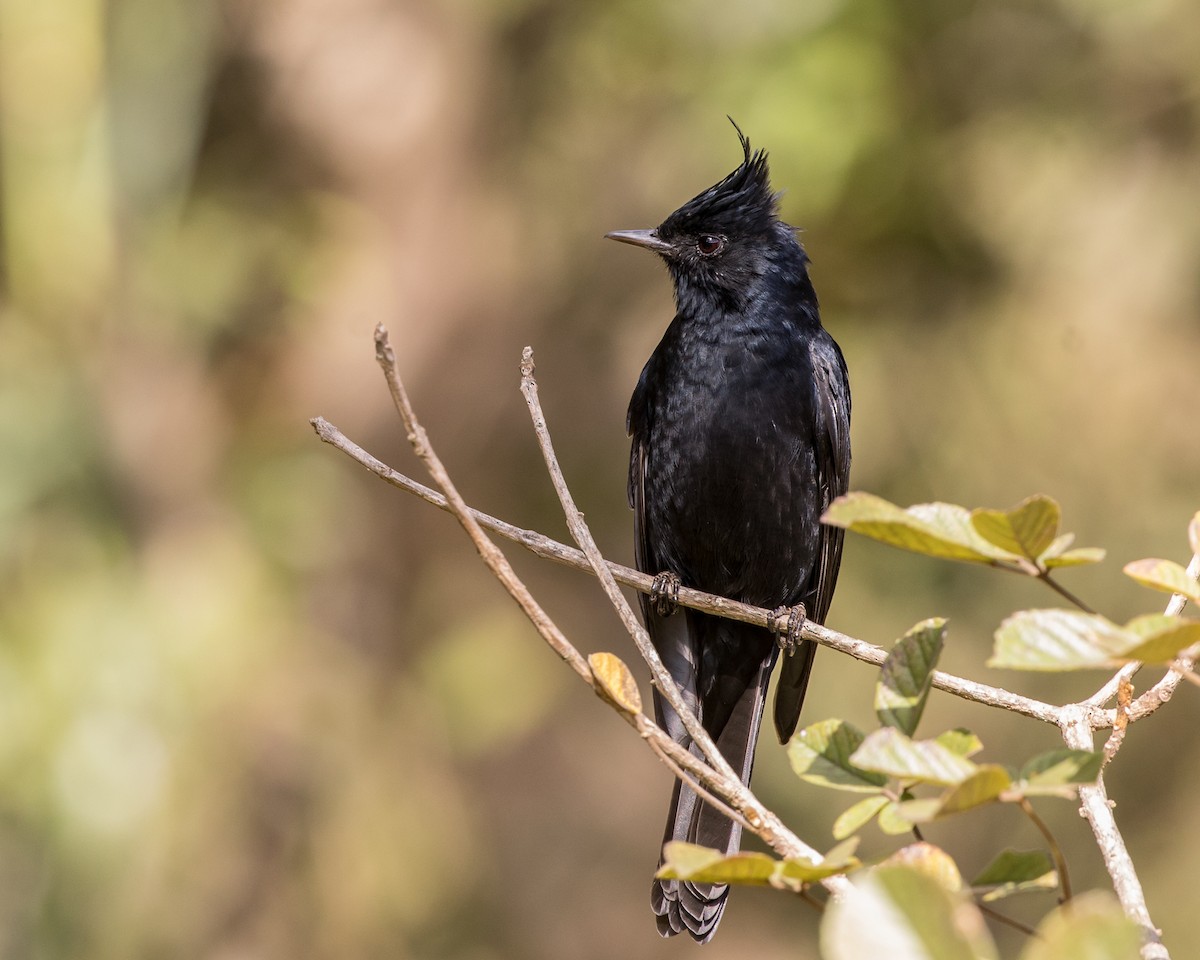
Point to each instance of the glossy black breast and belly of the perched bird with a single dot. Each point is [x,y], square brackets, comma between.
[731,494]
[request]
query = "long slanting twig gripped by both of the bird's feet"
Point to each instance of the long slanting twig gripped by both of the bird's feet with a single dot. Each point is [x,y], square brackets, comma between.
[721,607]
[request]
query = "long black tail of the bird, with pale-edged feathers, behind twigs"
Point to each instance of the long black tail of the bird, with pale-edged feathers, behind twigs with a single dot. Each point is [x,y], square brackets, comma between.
[697,908]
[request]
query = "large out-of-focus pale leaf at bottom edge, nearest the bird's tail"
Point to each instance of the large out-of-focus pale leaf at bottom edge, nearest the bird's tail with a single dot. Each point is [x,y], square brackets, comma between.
[899,913]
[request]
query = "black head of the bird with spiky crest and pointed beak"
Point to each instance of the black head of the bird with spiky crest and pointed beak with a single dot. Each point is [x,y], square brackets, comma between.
[719,244]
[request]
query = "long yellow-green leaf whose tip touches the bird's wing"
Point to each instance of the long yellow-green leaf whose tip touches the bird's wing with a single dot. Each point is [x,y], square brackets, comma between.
[935,530]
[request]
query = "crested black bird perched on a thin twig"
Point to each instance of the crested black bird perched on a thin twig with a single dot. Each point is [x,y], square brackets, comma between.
[741,439]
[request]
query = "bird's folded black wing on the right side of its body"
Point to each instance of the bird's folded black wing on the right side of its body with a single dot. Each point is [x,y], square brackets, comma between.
[832,436]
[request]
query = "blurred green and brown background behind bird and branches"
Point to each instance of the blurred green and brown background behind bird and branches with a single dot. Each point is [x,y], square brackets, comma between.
[255,704]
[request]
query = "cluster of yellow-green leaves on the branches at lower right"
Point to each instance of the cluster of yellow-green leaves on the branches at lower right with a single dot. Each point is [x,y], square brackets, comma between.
[907,783]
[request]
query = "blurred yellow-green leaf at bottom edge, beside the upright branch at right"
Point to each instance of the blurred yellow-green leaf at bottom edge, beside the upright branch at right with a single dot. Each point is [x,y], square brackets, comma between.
[1091,927]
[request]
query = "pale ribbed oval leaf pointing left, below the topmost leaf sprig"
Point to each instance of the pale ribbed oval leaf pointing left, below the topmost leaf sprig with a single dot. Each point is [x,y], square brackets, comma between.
[1058,640]
